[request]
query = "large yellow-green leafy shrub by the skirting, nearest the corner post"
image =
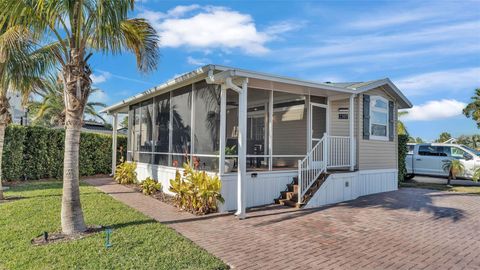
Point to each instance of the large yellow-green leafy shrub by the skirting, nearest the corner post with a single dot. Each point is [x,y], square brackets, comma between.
[196,191]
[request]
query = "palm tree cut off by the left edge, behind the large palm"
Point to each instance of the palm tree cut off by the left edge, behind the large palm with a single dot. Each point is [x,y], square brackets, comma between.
[21,65]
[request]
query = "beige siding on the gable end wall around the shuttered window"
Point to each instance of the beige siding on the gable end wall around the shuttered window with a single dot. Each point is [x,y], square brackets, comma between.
[374,154]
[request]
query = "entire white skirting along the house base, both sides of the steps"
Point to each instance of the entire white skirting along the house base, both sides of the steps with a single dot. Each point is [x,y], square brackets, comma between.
[263,187]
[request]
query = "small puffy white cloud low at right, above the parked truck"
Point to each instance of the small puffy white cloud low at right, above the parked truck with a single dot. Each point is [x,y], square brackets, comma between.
[434,110]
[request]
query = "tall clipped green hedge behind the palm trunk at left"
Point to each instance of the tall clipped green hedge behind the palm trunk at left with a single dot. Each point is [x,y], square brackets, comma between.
[33,152]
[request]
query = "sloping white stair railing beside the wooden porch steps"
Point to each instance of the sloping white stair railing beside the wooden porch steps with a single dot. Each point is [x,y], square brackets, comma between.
[312,166]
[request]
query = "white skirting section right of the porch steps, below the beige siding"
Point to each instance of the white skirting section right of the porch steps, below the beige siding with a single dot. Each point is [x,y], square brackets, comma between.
[340,187]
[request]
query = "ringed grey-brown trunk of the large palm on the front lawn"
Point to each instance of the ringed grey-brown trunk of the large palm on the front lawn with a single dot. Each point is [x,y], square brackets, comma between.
[72,215]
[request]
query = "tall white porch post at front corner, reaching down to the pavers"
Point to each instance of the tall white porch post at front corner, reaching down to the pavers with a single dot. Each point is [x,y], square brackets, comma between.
[242,149]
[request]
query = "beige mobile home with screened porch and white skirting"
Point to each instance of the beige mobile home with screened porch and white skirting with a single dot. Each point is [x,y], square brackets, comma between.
[330,142]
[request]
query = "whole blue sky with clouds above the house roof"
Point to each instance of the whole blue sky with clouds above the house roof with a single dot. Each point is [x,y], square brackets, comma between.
[431,50]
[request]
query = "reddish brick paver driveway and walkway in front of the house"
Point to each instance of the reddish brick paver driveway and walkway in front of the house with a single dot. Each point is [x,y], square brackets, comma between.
[406,229]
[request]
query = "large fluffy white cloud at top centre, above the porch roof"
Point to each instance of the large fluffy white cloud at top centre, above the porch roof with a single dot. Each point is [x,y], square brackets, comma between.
[213,27]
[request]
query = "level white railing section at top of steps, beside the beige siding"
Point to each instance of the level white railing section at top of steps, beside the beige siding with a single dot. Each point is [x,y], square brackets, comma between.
[338,151]
